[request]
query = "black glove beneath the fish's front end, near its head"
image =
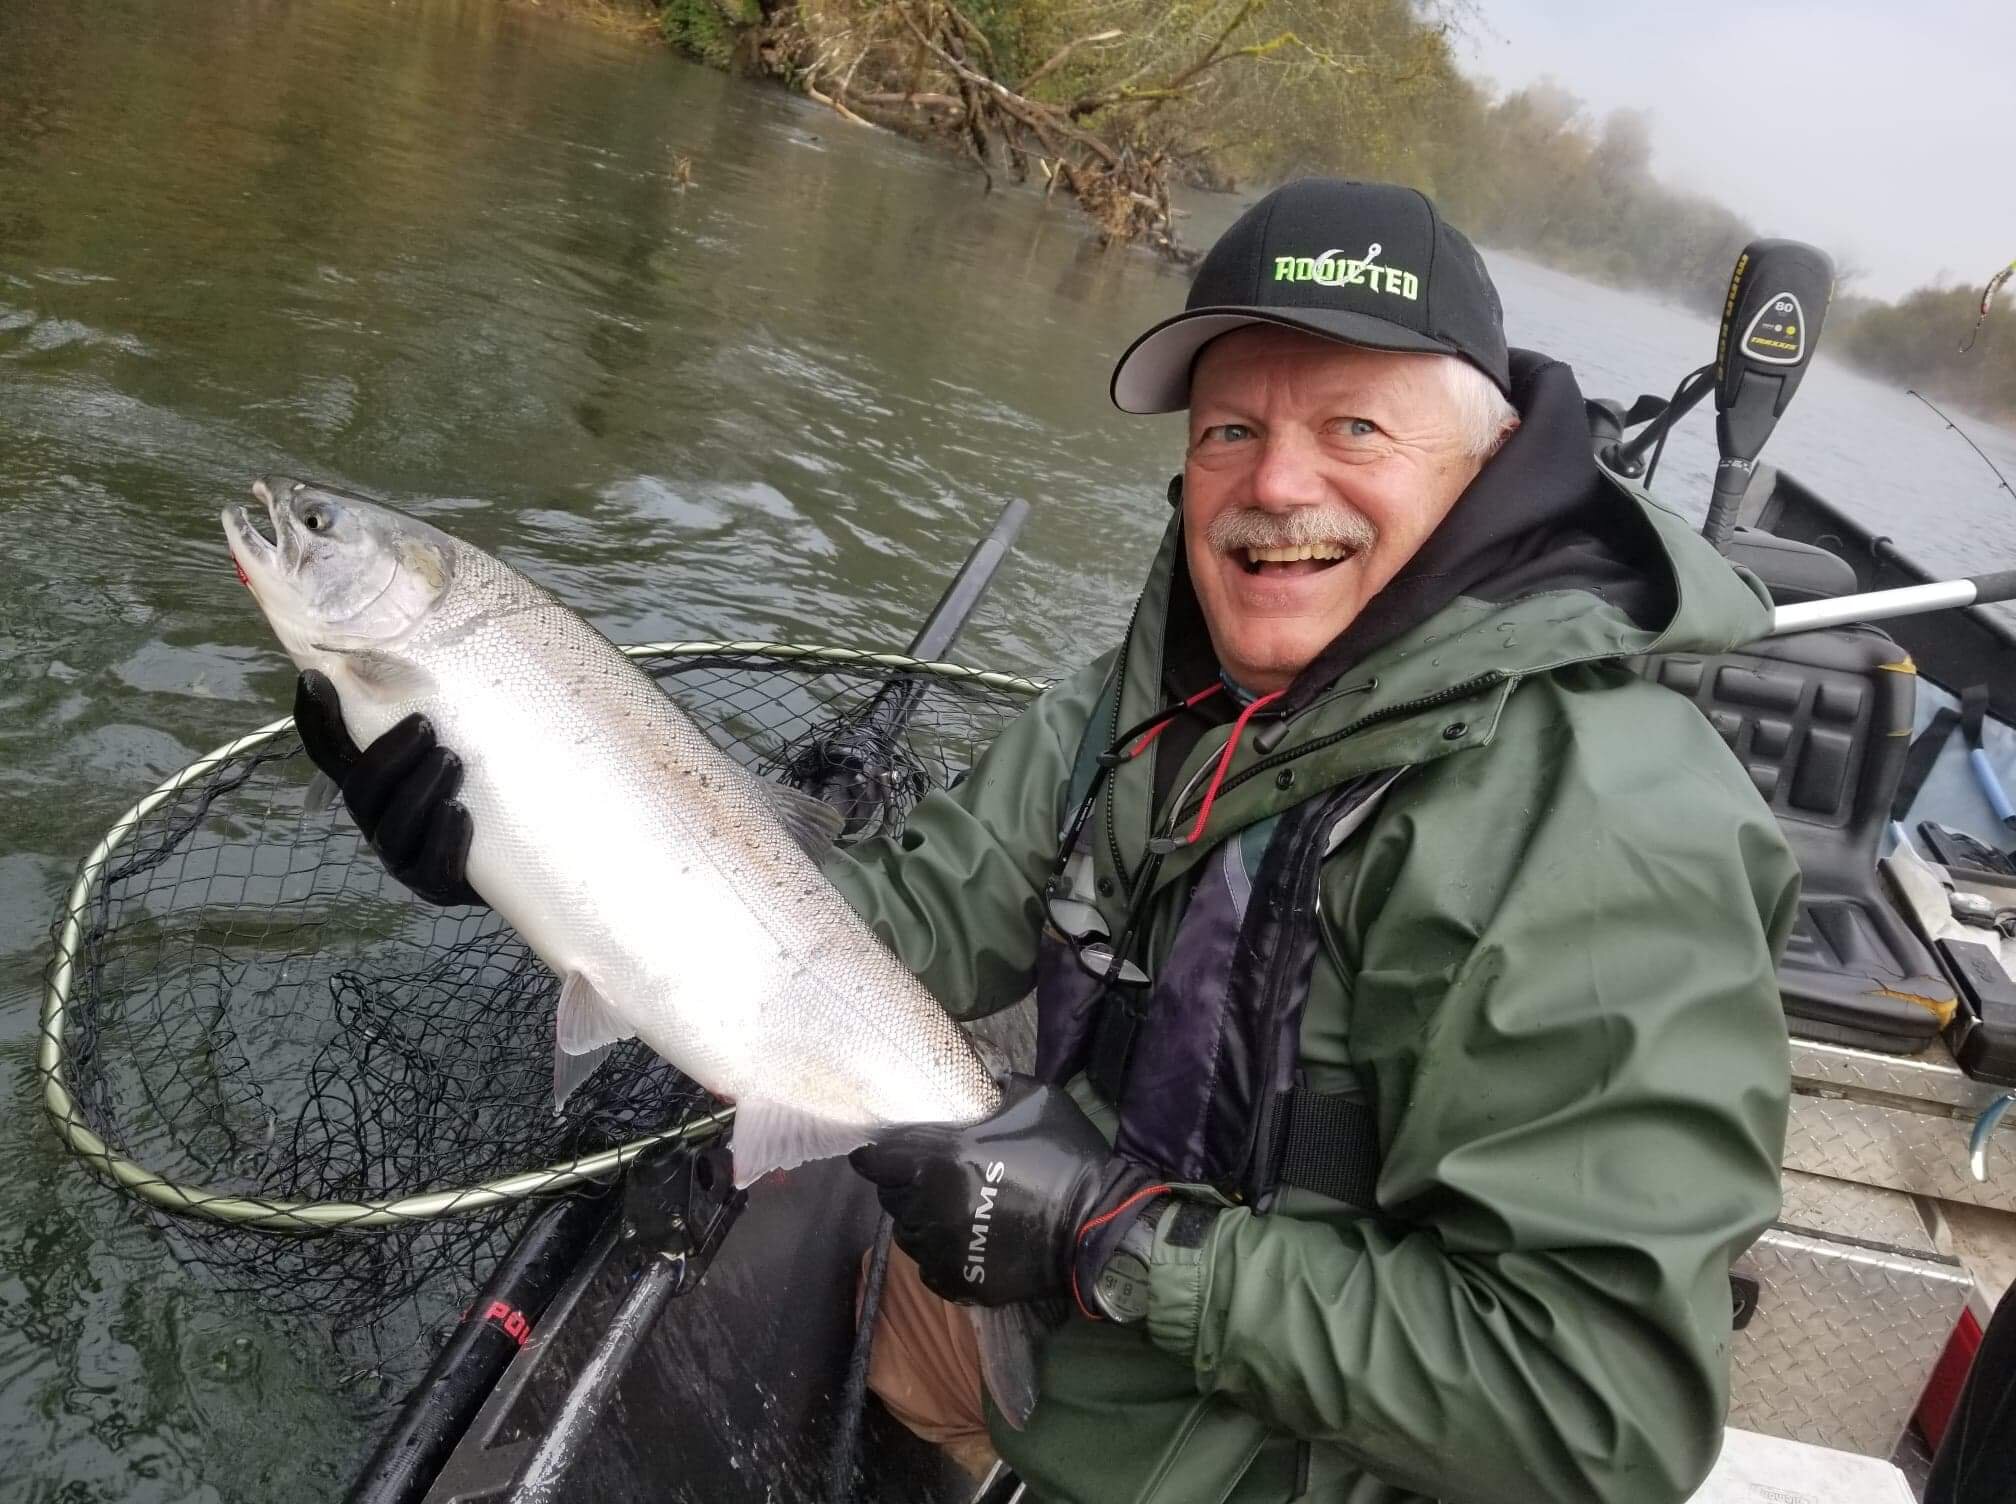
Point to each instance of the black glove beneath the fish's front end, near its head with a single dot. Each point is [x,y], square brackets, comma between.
[400,791]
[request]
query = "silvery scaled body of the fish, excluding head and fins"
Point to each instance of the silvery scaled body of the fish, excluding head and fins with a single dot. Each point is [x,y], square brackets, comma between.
[654,866]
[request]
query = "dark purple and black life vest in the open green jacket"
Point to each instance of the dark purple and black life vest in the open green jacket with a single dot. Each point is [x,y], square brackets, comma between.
[1201,1057]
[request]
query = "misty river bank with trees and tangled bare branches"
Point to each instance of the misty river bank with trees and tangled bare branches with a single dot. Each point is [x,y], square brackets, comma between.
[1114,104]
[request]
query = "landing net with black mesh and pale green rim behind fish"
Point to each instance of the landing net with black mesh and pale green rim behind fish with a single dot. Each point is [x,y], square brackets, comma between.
[273,1045]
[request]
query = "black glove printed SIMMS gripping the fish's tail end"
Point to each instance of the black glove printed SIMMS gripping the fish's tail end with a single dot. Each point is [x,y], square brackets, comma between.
[1021,1207]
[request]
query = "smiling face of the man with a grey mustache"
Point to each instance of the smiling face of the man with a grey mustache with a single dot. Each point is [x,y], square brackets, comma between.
[1299,445]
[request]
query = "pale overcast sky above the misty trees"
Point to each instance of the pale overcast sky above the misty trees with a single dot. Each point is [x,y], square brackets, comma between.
[1882,132]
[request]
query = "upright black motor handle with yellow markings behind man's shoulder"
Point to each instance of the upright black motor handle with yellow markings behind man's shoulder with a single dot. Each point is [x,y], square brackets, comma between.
[1771,326]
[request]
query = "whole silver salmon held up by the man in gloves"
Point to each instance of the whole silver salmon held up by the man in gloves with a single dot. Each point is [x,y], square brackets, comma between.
[674,894]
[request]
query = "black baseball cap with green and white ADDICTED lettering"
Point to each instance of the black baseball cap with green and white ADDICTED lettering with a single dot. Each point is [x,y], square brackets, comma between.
[1360,263]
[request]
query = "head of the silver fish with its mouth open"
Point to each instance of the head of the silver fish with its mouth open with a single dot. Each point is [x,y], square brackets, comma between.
[342,574]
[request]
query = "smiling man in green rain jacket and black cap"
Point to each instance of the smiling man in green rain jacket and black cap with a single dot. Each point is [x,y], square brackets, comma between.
[1410,1059]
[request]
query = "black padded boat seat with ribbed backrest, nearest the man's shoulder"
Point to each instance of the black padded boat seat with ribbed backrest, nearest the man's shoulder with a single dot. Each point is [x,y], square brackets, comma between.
[1821,723]
